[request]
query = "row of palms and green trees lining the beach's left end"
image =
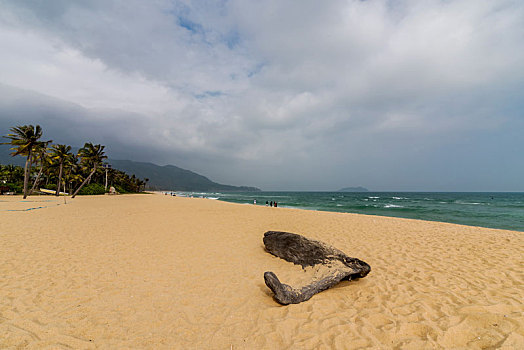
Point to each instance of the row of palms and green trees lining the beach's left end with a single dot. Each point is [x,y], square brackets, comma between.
[56,167]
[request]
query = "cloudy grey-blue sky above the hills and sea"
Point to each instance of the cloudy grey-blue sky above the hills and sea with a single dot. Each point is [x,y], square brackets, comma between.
[414,95]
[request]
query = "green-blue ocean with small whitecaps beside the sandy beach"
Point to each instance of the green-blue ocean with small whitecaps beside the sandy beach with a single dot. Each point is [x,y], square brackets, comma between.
[492,210]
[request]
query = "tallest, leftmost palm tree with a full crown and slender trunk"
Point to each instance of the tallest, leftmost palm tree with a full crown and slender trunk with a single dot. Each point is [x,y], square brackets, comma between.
[23,139]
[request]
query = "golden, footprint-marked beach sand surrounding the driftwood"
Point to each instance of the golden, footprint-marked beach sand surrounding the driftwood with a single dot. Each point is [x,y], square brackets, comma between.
[159,272]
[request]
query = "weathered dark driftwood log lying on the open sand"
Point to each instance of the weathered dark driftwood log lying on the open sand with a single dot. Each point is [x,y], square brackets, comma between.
[305,252]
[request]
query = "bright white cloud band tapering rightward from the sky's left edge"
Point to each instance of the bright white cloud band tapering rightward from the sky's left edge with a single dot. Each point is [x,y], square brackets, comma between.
[33,62]
